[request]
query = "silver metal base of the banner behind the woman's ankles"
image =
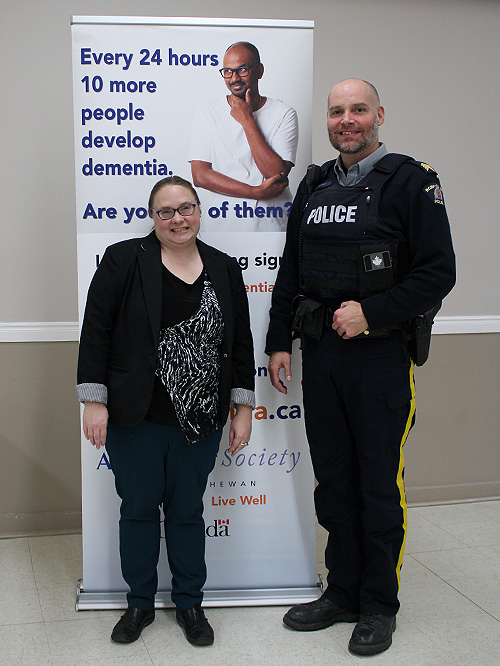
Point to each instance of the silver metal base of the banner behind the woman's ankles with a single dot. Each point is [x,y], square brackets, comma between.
[215,598]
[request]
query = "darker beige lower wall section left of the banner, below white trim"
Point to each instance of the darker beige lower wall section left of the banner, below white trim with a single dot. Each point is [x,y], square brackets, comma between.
[40,488]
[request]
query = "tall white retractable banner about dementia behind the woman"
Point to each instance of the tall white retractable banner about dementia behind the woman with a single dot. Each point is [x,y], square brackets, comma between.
[148,99]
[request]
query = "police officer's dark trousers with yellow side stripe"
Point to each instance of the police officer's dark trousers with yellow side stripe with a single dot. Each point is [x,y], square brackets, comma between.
[359,403]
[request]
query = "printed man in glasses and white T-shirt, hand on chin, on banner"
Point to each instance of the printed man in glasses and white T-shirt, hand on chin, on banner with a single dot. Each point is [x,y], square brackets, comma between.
[242,149]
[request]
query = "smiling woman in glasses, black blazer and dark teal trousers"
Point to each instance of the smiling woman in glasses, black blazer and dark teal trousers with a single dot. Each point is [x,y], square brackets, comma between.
[165,349]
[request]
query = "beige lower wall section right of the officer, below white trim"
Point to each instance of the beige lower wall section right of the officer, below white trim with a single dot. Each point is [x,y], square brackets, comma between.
[453,451]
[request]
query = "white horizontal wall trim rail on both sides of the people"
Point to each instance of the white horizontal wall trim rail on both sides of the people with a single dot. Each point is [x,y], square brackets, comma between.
[69,331]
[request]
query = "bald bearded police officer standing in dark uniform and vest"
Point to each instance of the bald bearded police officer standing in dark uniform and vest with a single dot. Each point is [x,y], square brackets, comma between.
[368,244]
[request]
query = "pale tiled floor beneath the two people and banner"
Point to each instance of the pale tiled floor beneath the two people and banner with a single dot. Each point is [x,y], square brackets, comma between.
[450,608]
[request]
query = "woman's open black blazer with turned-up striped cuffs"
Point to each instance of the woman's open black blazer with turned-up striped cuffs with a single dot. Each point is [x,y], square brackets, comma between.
[121,326]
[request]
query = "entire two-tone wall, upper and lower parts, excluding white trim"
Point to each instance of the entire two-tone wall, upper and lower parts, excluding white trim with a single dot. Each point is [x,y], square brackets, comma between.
[433,63]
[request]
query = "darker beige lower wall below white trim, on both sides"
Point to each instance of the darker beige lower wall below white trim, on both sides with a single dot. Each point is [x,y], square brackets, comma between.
[452,452]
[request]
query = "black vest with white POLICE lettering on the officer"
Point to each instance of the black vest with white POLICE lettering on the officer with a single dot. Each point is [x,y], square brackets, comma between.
[346,251]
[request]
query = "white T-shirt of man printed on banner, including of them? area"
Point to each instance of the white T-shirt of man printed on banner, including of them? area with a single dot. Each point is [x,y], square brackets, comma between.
[219,139]
